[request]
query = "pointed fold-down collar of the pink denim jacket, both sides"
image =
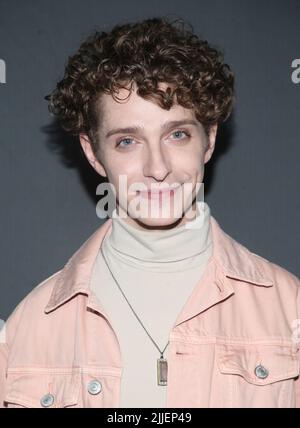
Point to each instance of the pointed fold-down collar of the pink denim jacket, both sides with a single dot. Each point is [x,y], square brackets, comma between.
[231,258]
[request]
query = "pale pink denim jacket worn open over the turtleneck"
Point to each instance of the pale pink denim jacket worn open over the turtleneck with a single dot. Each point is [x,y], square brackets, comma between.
[234,344]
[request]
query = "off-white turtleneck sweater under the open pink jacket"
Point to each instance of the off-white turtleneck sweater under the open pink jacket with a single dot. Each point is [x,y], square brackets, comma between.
[157,270]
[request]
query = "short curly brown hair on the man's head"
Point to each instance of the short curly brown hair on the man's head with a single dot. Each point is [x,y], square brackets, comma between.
[145,53]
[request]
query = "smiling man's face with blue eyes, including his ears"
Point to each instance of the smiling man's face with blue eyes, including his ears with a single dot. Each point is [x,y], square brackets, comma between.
[158,154]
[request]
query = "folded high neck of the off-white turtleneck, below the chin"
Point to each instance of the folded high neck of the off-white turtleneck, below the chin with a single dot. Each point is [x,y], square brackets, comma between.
[161,246]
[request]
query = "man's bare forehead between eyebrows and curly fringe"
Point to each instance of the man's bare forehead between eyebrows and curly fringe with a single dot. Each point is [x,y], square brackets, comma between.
[131,107]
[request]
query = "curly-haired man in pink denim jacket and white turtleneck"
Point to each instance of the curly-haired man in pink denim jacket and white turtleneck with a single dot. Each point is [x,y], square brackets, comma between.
[159,307]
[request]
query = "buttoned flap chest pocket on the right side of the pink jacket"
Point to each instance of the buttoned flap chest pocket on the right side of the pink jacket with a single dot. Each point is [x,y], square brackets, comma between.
[258,375]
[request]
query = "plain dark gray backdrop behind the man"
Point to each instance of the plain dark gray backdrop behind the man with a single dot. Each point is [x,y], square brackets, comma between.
[48,192]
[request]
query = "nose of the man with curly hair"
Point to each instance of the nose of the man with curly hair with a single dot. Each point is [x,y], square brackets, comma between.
[156,164]
